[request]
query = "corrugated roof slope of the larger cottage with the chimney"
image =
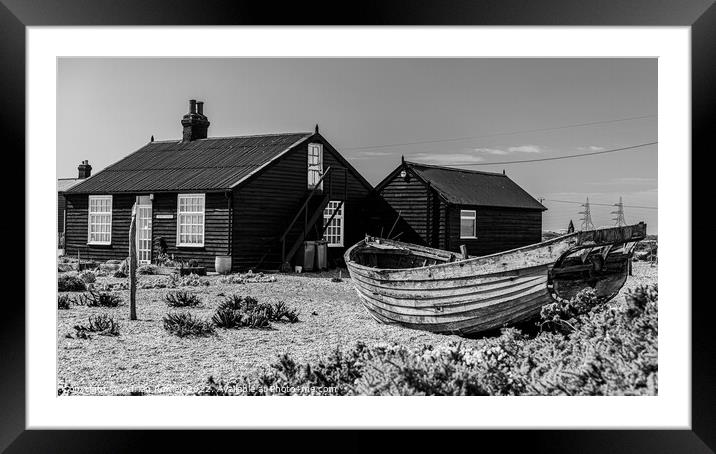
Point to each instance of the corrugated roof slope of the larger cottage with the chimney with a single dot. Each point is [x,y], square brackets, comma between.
[199,165]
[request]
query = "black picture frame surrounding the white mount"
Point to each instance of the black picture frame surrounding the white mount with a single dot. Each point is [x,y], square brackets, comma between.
[700,15]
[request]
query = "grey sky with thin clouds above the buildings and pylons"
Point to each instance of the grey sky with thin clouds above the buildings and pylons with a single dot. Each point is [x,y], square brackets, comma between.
[465,113]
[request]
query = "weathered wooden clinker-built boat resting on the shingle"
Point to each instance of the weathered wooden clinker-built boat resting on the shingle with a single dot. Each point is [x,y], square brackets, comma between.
[445,292]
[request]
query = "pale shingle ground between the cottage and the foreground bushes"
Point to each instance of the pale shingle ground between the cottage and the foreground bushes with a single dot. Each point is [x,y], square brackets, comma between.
[146,356]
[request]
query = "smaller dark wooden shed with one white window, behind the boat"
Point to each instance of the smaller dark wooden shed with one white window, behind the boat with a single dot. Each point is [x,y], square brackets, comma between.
[448,207]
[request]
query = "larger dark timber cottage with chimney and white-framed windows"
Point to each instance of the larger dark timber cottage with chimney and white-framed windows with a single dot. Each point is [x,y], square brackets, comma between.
[252,198]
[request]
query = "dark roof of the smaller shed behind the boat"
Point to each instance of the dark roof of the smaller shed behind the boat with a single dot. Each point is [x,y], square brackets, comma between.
[470,187]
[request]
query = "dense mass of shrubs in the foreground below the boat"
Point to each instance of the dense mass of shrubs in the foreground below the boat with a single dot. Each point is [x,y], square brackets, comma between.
[611,350]
